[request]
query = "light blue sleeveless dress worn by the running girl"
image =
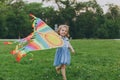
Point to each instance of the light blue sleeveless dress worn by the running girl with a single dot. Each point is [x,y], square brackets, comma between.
[62,55]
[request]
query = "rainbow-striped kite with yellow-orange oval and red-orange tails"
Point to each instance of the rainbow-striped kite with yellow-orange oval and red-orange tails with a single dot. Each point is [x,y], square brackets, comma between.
[42,37]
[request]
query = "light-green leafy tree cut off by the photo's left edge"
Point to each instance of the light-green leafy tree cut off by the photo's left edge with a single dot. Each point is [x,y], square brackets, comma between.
[4,9]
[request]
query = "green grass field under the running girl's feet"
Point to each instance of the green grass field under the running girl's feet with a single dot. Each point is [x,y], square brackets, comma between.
[94,60]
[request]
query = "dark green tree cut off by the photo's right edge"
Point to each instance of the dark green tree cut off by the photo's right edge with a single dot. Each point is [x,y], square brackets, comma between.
[113,21]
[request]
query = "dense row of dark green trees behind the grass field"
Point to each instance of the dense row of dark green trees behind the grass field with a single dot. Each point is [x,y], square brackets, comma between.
[86,19]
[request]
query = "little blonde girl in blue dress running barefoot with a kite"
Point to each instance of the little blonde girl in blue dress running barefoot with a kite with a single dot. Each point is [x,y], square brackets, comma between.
[62,56]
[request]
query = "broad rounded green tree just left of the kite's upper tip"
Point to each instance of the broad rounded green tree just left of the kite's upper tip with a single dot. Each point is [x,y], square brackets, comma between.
[17,20]
